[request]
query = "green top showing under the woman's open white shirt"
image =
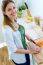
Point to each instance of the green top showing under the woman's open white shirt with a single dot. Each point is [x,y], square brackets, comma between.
[22,32]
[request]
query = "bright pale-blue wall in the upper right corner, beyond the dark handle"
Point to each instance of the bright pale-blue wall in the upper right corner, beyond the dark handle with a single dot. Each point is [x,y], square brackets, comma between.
[36,7]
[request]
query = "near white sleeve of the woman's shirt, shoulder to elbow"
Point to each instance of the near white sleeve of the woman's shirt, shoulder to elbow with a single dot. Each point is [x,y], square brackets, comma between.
[9,40]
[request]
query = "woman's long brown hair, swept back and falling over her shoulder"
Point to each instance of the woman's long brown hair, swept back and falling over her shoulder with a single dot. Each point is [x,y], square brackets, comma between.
[7,21]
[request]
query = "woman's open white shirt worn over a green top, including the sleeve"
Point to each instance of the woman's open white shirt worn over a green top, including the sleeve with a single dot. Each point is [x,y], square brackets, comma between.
[14,42]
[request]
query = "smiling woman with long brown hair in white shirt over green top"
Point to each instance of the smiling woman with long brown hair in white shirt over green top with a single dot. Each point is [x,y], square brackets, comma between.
[15,35]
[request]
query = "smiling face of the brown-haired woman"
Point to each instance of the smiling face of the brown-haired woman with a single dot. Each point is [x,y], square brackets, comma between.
[10,11]
